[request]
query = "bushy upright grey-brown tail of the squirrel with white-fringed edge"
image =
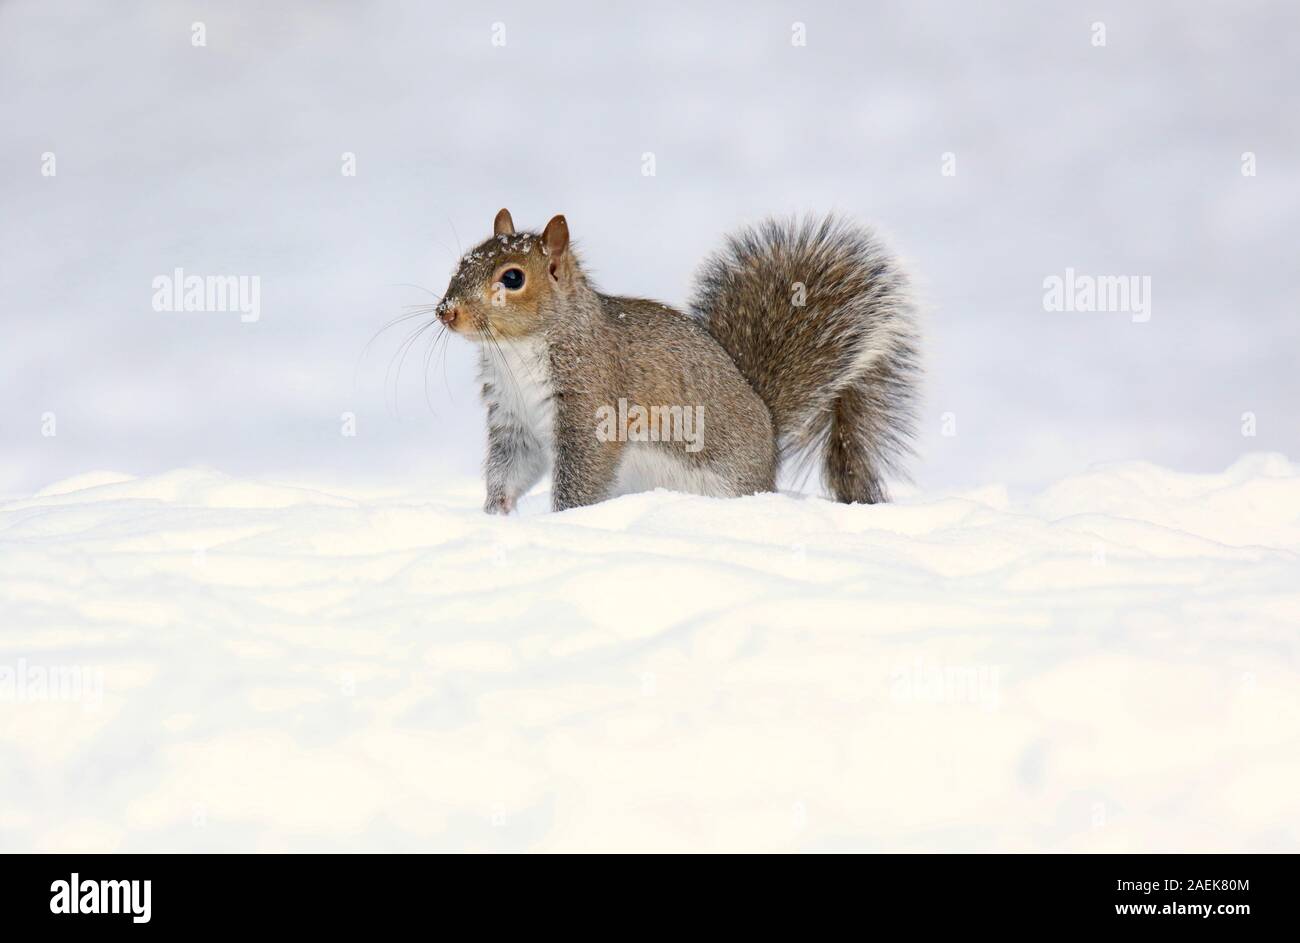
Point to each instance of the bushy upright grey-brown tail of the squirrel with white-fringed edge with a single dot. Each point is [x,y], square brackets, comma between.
[818,317]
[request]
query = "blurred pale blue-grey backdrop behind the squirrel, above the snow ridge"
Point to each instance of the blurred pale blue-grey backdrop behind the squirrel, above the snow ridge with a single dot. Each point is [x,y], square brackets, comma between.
[228,159]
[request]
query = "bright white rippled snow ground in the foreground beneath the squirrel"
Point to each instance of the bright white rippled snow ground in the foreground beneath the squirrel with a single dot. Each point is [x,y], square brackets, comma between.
[1106,665]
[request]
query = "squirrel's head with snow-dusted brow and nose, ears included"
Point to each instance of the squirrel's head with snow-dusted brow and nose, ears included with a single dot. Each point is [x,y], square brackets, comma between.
[508,286]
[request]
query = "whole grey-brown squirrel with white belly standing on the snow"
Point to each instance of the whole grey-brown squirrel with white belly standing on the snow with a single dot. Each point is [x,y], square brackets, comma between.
[801,343]
